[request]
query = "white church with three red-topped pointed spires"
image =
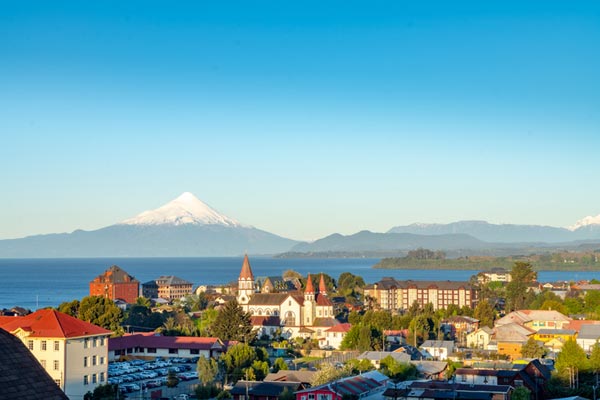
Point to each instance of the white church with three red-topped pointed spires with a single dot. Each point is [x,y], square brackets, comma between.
[293,314]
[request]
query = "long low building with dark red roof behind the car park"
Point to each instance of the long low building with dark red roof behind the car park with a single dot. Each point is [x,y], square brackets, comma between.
[153,345]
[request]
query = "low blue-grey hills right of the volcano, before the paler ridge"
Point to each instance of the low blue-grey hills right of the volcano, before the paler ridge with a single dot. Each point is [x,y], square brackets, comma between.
[370,241]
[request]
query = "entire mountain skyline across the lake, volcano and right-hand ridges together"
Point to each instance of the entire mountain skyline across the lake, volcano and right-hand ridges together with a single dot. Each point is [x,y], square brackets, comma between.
[188,227]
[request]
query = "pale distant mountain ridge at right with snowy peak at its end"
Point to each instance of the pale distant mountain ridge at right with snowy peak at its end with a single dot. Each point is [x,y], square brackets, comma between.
[508,233]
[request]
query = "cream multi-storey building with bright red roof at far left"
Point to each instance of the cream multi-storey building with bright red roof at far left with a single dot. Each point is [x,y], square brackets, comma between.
[73,352]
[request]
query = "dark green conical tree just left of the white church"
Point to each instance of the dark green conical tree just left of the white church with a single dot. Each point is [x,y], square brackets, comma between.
[233,323]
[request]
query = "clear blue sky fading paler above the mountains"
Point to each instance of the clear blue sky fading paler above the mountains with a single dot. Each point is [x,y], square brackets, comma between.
[301,118]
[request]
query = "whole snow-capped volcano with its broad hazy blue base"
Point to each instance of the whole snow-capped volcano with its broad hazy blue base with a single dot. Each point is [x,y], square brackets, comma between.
[185,227]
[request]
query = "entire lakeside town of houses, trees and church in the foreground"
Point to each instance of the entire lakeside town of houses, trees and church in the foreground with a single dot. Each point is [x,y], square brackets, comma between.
[501,335]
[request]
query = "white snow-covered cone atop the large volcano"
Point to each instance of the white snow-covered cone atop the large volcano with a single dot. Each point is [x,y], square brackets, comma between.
[186,209]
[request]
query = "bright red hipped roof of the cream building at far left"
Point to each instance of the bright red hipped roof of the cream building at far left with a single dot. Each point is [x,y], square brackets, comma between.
[48,323]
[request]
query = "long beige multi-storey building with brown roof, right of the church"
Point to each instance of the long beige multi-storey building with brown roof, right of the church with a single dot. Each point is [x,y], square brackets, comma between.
[393,295]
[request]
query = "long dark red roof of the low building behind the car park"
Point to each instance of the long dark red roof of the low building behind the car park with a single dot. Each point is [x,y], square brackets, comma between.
[165,342]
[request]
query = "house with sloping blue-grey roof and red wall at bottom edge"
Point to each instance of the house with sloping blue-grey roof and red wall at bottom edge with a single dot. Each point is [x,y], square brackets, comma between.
[369,385]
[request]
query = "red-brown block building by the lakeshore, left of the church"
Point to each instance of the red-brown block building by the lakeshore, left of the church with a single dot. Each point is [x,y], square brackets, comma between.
[115,284]
